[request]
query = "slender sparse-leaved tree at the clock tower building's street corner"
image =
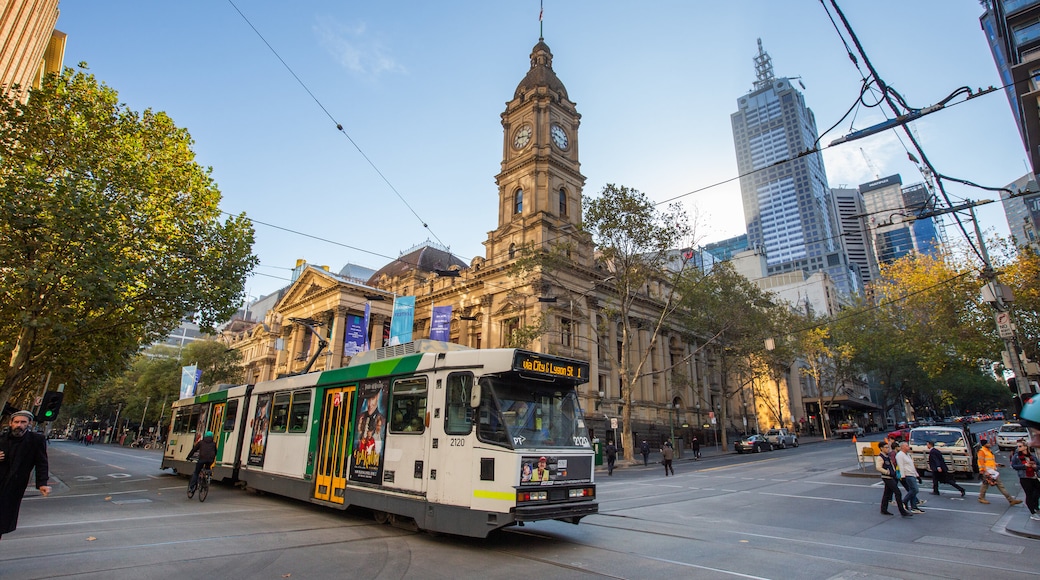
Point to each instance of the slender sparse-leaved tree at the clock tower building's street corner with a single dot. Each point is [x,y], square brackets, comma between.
[635,240]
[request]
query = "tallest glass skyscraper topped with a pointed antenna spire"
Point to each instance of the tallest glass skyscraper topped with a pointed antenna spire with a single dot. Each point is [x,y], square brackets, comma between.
[788,205]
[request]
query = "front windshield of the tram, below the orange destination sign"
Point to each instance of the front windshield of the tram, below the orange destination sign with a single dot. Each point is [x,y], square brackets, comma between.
[530,415]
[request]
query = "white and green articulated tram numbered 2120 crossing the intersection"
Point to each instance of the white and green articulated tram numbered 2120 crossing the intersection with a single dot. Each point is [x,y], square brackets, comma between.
[427,435]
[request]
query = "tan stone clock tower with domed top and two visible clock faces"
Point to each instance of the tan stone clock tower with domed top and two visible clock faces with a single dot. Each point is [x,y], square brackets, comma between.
[540,184]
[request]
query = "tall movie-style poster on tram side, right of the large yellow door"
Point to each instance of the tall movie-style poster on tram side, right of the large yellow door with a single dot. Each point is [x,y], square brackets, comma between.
[367,464]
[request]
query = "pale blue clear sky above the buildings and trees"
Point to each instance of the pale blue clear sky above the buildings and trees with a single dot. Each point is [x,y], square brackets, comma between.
[420,88]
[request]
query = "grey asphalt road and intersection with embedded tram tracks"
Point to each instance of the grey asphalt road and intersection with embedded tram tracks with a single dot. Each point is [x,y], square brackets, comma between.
[787,514]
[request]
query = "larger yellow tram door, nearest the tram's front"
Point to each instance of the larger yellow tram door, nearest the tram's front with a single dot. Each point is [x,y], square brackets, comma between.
[334,445]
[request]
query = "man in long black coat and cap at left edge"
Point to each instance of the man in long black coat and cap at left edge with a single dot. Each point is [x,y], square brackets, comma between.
[21,451]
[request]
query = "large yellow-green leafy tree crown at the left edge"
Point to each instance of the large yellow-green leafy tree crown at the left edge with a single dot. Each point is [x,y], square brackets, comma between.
[110,235]
